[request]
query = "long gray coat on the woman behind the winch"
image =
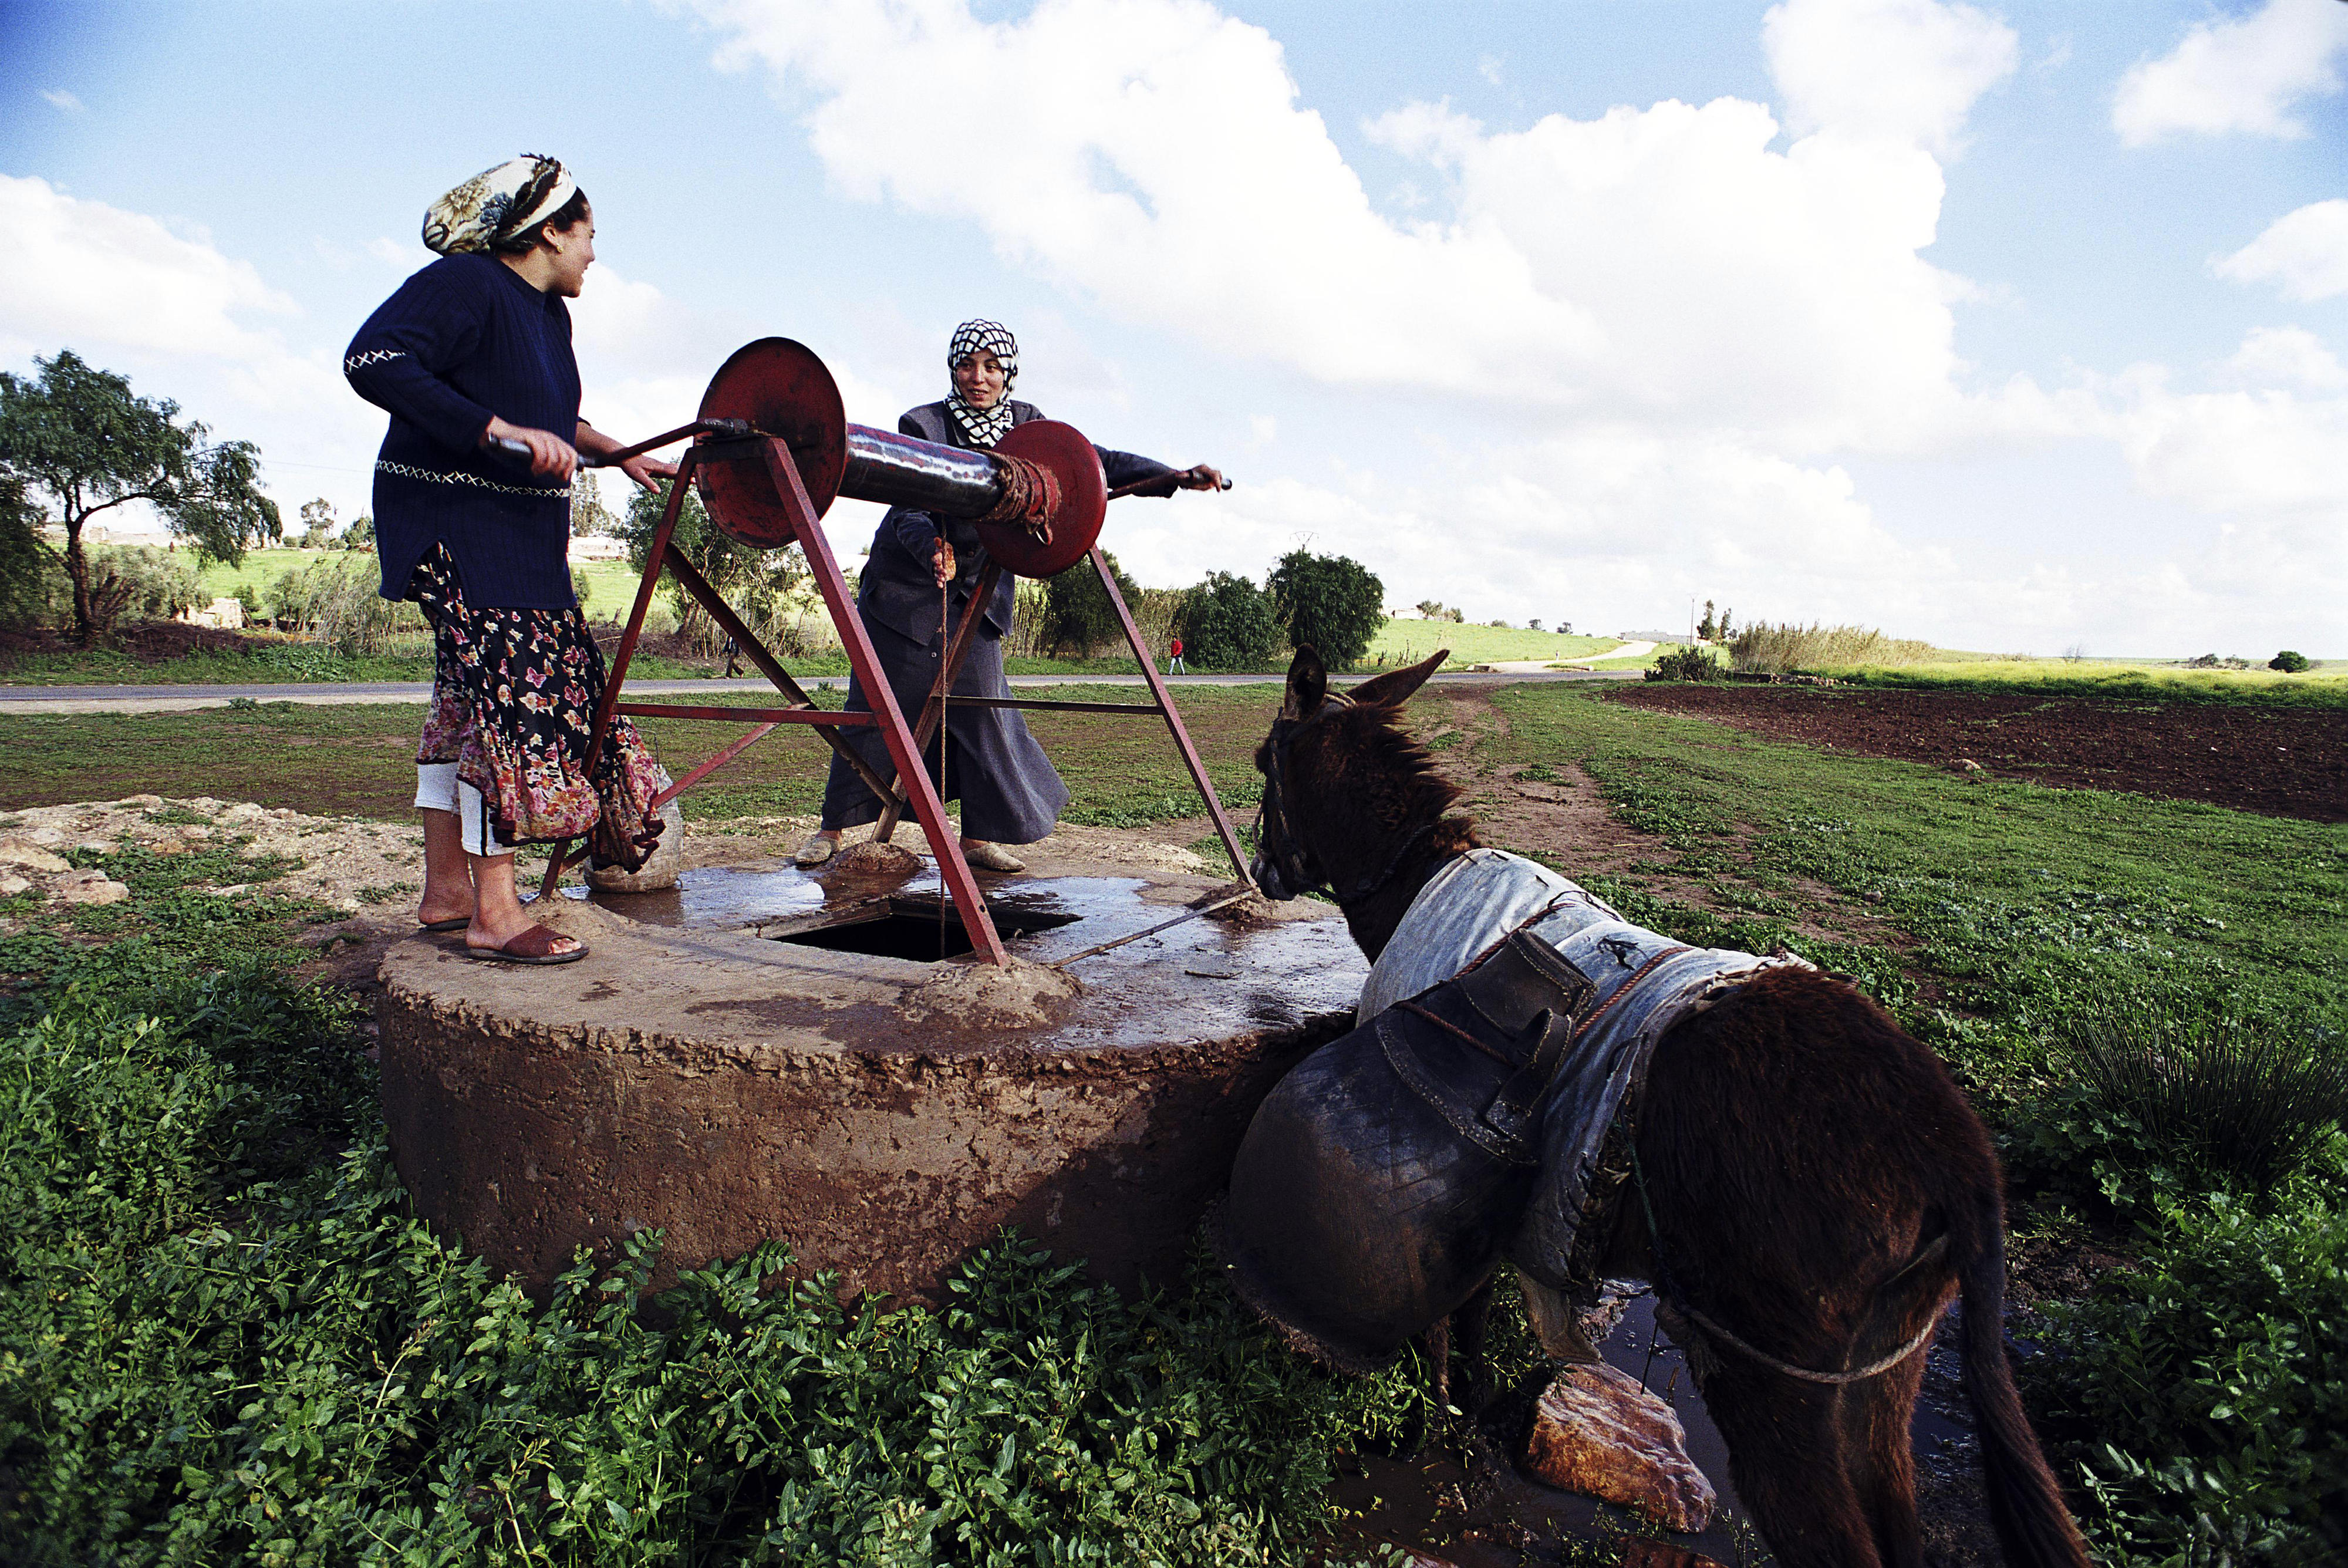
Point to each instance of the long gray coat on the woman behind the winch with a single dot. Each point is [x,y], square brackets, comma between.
[999,773]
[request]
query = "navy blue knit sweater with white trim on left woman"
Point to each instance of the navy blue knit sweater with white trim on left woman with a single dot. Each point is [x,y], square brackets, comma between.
[461,342]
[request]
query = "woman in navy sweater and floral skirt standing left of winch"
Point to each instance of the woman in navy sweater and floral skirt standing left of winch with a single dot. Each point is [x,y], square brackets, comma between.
[473,522]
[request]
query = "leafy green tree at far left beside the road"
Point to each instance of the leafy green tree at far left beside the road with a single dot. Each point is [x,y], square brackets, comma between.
[83,440]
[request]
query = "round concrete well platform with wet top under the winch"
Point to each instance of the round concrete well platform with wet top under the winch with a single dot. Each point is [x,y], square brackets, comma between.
[713,1074]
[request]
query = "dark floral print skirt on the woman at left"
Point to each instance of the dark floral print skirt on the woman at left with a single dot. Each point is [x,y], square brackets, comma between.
[513,708]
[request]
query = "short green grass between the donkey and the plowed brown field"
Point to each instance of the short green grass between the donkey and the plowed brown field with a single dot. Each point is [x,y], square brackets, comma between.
[2009,907]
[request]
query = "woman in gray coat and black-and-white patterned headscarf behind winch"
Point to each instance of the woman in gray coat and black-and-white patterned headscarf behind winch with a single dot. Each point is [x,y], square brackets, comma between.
[999,773]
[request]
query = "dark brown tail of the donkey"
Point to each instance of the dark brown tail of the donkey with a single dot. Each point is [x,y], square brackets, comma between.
[2025,1506]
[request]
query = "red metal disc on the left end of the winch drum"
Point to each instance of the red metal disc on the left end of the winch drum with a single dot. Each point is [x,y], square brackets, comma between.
[785,391]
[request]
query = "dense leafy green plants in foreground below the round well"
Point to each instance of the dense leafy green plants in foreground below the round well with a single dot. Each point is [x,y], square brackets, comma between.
[208,1360]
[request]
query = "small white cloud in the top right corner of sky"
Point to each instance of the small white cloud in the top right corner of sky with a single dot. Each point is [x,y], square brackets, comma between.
[2236,76]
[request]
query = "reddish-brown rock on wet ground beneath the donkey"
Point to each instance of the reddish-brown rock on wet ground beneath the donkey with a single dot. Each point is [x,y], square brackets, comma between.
[1598,1433]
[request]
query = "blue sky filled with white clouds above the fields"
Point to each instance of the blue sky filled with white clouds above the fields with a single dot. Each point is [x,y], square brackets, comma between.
[2011,327]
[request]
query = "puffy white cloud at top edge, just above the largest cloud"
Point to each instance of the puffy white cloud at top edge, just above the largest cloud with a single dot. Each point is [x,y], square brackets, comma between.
[1901,69]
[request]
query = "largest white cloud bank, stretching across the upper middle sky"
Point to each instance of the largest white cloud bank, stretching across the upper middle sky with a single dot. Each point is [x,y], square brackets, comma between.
[1154,156]
